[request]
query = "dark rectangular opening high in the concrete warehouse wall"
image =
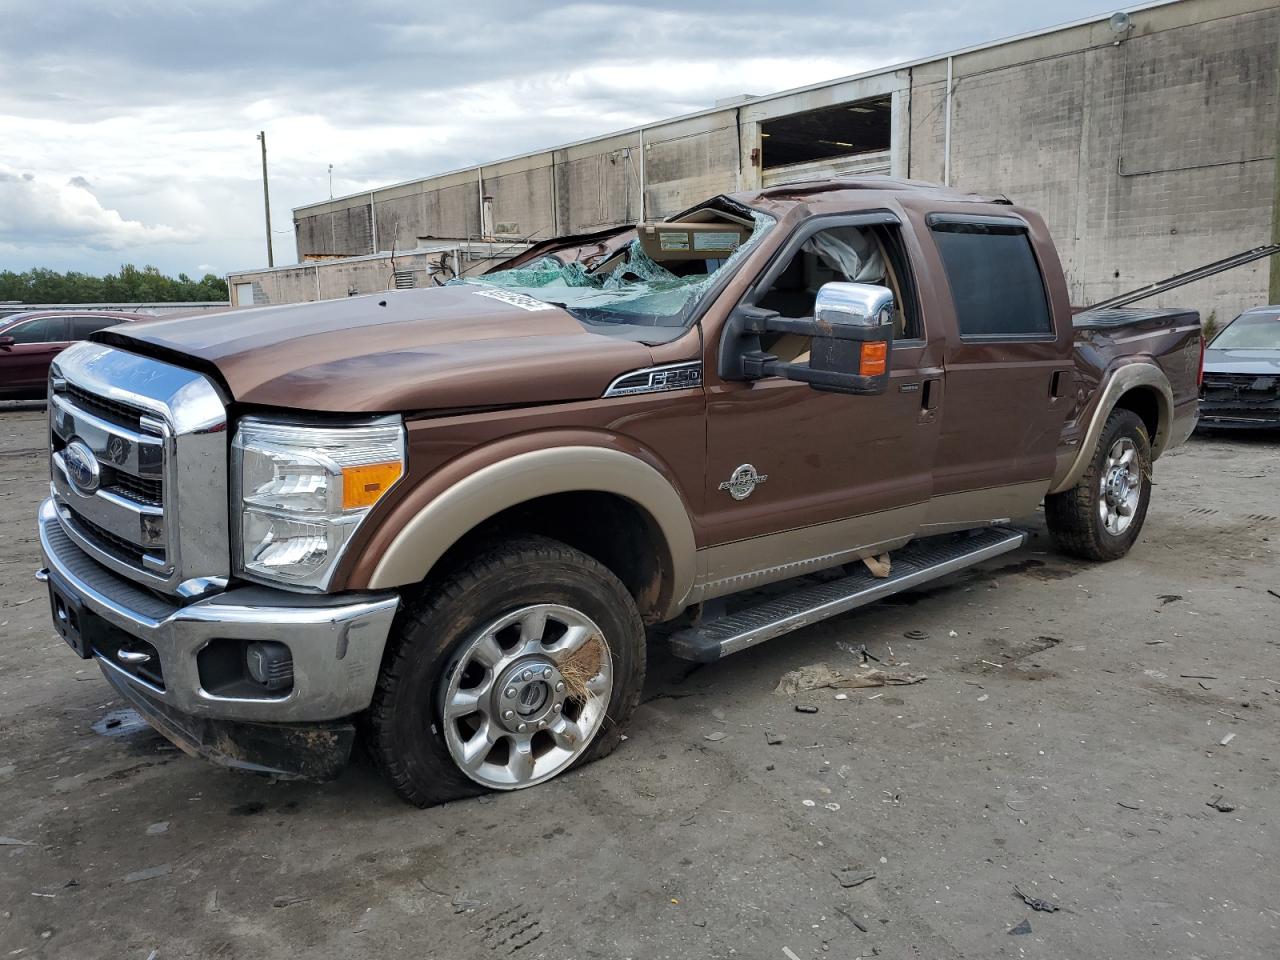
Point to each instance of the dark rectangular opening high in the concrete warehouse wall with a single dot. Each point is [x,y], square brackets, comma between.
[848,130]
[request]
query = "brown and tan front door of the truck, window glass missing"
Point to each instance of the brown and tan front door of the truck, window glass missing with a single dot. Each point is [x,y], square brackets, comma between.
[799,479]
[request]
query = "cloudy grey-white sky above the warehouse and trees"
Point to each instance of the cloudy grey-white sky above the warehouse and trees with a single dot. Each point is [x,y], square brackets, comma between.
[127,129]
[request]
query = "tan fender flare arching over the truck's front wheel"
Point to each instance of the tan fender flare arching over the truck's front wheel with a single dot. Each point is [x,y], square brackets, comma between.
[525,477]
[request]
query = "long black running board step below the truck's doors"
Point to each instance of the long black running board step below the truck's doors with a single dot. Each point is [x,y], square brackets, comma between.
[916,564]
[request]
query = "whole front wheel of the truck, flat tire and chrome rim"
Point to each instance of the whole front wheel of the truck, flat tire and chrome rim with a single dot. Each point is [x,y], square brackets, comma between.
[510,673]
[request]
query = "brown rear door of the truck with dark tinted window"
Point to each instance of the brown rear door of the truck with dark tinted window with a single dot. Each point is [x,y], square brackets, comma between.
[1009,371]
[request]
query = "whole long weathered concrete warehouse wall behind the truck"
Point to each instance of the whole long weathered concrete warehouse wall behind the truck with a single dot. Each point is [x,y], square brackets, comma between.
[1149,153]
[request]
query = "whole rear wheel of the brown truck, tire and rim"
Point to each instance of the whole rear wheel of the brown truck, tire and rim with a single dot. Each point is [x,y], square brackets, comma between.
[1101,516]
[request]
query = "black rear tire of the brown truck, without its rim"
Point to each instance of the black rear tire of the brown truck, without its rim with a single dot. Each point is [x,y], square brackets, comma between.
[1075,516]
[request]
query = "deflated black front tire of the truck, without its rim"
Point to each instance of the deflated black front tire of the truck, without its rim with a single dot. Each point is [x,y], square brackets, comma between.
[405,724]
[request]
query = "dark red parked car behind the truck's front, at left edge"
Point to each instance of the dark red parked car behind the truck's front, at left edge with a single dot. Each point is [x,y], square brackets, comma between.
[29,342]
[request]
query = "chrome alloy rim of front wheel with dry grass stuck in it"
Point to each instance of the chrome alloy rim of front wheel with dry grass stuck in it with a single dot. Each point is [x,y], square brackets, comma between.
[527,696]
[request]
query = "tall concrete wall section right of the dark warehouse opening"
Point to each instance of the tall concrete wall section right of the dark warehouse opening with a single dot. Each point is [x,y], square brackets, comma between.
[1148,157]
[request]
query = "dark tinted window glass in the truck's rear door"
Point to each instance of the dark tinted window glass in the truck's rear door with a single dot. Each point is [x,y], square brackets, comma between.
[995,281]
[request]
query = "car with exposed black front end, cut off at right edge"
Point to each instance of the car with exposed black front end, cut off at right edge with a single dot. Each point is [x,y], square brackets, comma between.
[1242,373]
